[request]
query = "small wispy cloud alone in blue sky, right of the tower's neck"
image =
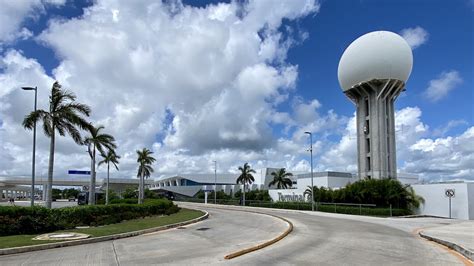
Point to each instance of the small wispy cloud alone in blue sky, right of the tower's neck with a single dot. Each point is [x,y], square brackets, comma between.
[440,87]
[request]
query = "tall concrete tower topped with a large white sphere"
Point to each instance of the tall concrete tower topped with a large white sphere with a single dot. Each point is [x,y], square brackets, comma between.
[372,73]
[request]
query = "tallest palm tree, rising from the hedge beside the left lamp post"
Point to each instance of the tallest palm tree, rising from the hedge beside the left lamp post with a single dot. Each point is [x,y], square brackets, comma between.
[64,115]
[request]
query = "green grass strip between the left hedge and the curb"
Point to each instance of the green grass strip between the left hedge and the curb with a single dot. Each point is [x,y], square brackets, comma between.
[111,229]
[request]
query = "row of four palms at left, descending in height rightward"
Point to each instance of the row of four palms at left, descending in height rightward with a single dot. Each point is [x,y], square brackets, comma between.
[66,116]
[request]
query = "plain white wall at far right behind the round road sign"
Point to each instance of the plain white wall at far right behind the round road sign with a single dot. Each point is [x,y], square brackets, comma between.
[437,204]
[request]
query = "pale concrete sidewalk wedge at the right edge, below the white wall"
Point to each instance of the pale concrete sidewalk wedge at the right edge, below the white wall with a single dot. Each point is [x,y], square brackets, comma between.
[459,237]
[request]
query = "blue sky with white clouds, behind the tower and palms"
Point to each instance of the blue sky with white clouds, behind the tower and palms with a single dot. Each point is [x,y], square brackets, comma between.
[235,82]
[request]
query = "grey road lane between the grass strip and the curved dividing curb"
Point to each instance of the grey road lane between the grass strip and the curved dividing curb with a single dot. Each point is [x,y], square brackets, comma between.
[206,242]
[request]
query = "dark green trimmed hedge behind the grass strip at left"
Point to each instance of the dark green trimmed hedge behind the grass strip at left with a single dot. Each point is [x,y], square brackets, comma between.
[26,220]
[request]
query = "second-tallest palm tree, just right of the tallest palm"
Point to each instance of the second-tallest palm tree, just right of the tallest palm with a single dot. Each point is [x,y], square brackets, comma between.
[97,141]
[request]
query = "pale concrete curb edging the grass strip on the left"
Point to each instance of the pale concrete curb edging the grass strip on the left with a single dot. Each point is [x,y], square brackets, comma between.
[15,250]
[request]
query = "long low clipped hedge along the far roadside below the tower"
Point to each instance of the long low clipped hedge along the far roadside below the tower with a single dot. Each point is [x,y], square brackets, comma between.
[372,211]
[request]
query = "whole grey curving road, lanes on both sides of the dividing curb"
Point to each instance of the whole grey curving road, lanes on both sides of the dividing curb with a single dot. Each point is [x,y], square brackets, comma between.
[316,239]
